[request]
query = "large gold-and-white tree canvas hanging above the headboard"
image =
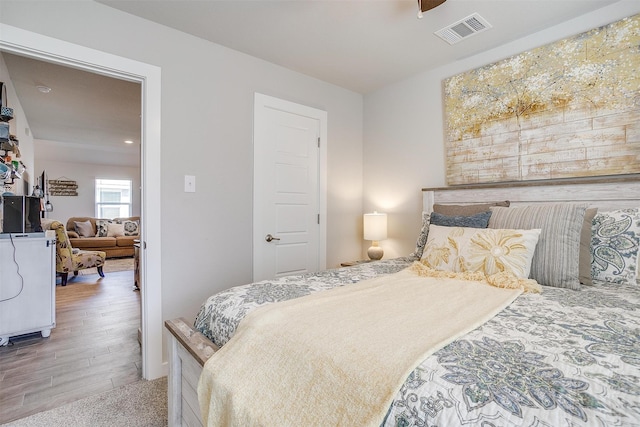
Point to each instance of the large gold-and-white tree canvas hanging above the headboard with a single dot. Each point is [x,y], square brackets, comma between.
[567,109]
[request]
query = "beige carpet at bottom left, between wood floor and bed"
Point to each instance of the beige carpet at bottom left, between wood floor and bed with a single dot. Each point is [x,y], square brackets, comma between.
[140,404]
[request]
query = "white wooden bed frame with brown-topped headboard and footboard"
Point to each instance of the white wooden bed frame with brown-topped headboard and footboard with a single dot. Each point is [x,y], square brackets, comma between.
[189,349]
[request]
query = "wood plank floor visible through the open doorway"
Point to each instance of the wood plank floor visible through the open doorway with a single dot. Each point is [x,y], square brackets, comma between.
[92,349]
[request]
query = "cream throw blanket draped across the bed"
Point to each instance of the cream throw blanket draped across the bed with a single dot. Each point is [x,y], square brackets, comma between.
[339,357]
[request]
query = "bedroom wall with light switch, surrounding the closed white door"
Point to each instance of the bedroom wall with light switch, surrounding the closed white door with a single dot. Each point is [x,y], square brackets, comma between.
[207,114]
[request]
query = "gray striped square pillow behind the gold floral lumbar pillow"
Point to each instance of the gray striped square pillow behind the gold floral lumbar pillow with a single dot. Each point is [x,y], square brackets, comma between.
[556,259]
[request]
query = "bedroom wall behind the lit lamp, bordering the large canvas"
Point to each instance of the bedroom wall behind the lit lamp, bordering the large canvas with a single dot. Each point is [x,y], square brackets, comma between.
[403,130]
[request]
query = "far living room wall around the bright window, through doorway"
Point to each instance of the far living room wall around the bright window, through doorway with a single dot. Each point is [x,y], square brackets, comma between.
[85,175]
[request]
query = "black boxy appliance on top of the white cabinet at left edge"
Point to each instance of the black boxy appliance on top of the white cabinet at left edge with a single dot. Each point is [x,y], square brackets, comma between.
[21,214]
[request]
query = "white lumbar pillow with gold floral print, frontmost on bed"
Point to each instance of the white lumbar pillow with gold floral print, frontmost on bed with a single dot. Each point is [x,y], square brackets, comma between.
[462,249]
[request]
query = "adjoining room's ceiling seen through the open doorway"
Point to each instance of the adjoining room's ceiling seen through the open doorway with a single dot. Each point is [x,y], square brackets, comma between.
[86,117]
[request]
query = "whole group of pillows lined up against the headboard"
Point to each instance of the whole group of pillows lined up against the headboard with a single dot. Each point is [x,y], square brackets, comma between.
[564,245]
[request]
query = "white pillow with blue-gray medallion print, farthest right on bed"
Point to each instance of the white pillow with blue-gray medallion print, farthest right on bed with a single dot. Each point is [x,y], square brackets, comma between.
[615,242]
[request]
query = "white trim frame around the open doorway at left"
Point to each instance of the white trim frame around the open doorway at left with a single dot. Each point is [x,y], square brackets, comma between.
[37,46]
